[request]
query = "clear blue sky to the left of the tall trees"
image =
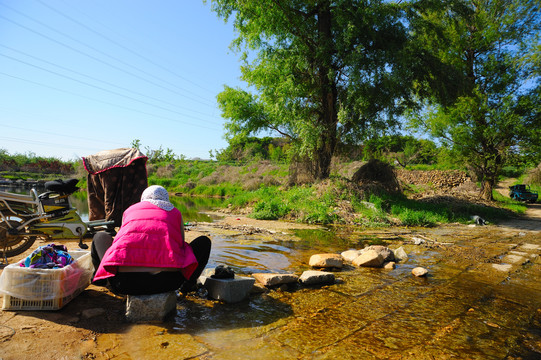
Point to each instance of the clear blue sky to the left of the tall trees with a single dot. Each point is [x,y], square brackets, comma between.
[82,76]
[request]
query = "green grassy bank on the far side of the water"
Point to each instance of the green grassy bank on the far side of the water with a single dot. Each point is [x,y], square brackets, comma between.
[318,203]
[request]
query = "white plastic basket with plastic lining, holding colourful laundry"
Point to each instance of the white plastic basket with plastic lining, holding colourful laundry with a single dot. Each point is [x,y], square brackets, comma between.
[45,289]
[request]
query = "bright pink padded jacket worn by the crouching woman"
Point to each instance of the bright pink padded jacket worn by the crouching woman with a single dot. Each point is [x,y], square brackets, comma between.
[149,237]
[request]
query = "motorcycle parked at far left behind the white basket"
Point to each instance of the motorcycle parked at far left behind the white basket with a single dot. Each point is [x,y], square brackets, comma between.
[47,216]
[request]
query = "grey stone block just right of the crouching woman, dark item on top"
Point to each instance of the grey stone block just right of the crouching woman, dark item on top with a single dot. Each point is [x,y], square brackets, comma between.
[228,290]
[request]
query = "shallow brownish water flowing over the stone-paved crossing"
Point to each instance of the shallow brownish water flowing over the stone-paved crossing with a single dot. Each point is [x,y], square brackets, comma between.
[480,300]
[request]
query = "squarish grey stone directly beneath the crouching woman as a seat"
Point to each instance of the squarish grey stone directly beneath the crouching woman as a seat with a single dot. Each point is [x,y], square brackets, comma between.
[145,308]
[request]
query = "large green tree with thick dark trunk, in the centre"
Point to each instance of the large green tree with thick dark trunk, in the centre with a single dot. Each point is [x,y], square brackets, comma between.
[319,72]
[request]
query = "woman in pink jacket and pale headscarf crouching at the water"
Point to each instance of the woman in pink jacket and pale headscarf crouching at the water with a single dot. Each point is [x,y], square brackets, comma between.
[149,255]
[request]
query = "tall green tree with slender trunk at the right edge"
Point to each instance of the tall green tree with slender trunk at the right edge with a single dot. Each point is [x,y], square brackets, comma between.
[492,111]
